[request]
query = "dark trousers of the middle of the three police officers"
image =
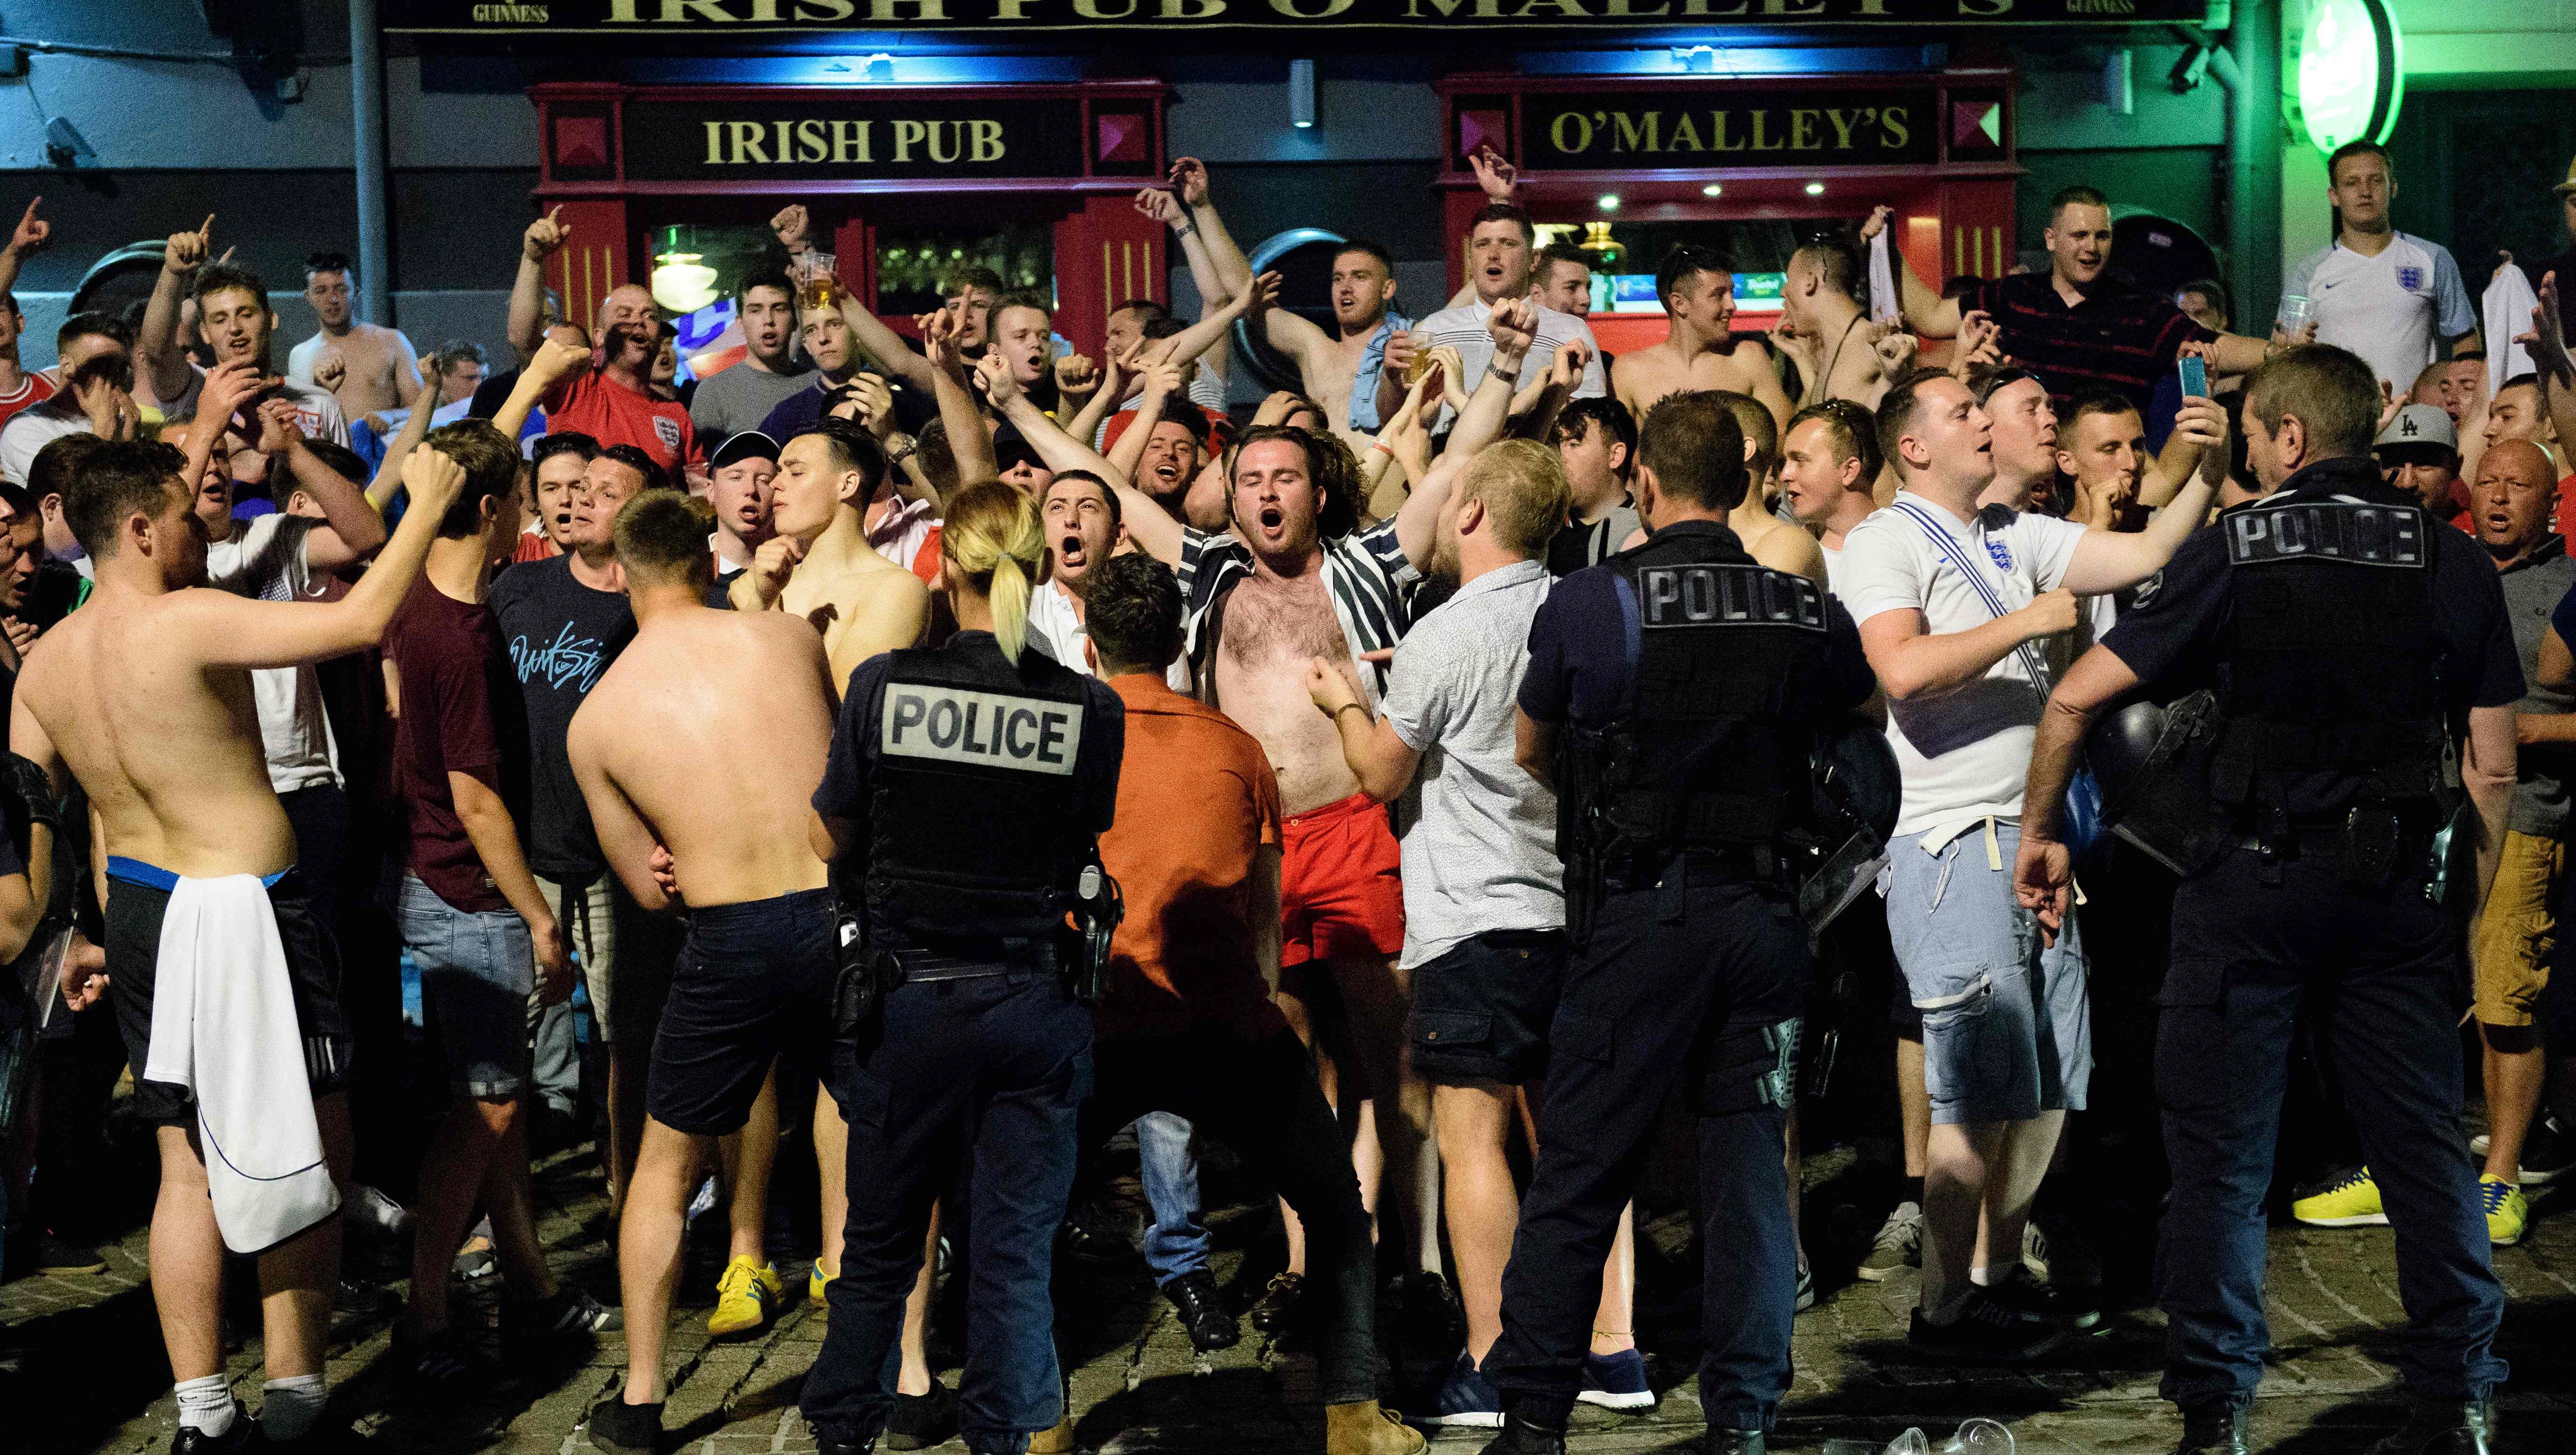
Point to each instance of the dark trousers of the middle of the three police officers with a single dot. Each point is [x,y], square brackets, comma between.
[1671,990]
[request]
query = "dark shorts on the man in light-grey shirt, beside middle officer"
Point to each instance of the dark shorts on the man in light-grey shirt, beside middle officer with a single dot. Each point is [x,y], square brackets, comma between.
[1482,1008]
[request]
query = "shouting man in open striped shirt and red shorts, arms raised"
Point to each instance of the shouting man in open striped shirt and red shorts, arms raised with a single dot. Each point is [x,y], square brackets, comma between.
[1266,601]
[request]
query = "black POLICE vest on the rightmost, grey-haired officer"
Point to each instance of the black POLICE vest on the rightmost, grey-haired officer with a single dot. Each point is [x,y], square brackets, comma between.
[2335,655]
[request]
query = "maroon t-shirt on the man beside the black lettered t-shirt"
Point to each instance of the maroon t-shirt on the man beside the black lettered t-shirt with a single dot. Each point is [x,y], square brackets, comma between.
[452,679]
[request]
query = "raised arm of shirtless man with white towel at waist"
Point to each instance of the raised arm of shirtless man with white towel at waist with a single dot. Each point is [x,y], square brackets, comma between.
[236,632]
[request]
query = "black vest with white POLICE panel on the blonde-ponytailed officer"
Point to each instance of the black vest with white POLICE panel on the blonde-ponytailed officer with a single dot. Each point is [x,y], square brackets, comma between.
[972,818]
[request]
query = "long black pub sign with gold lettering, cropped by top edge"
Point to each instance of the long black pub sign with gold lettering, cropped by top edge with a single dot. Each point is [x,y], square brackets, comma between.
[712,19]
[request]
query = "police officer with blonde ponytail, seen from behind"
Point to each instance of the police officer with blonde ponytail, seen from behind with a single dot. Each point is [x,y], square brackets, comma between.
[965,797]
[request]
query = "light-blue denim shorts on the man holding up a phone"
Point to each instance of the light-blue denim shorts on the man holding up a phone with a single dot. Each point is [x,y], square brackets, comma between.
[2008,1029]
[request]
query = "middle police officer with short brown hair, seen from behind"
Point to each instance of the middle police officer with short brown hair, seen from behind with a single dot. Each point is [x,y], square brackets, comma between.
[1673,694]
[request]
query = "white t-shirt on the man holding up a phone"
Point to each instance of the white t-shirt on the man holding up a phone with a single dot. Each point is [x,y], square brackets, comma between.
[1964,753]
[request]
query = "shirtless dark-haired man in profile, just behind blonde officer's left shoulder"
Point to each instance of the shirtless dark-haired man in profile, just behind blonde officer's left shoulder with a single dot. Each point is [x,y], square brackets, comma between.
[820,563]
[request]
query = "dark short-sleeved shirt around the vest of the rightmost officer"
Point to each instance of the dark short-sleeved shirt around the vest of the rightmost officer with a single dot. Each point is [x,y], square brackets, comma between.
[2181,627]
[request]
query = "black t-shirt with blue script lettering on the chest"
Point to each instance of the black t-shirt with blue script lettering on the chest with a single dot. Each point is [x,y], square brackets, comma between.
[560,637]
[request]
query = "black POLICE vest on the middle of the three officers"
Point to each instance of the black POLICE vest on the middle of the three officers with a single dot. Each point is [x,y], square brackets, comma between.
[1717,746]
